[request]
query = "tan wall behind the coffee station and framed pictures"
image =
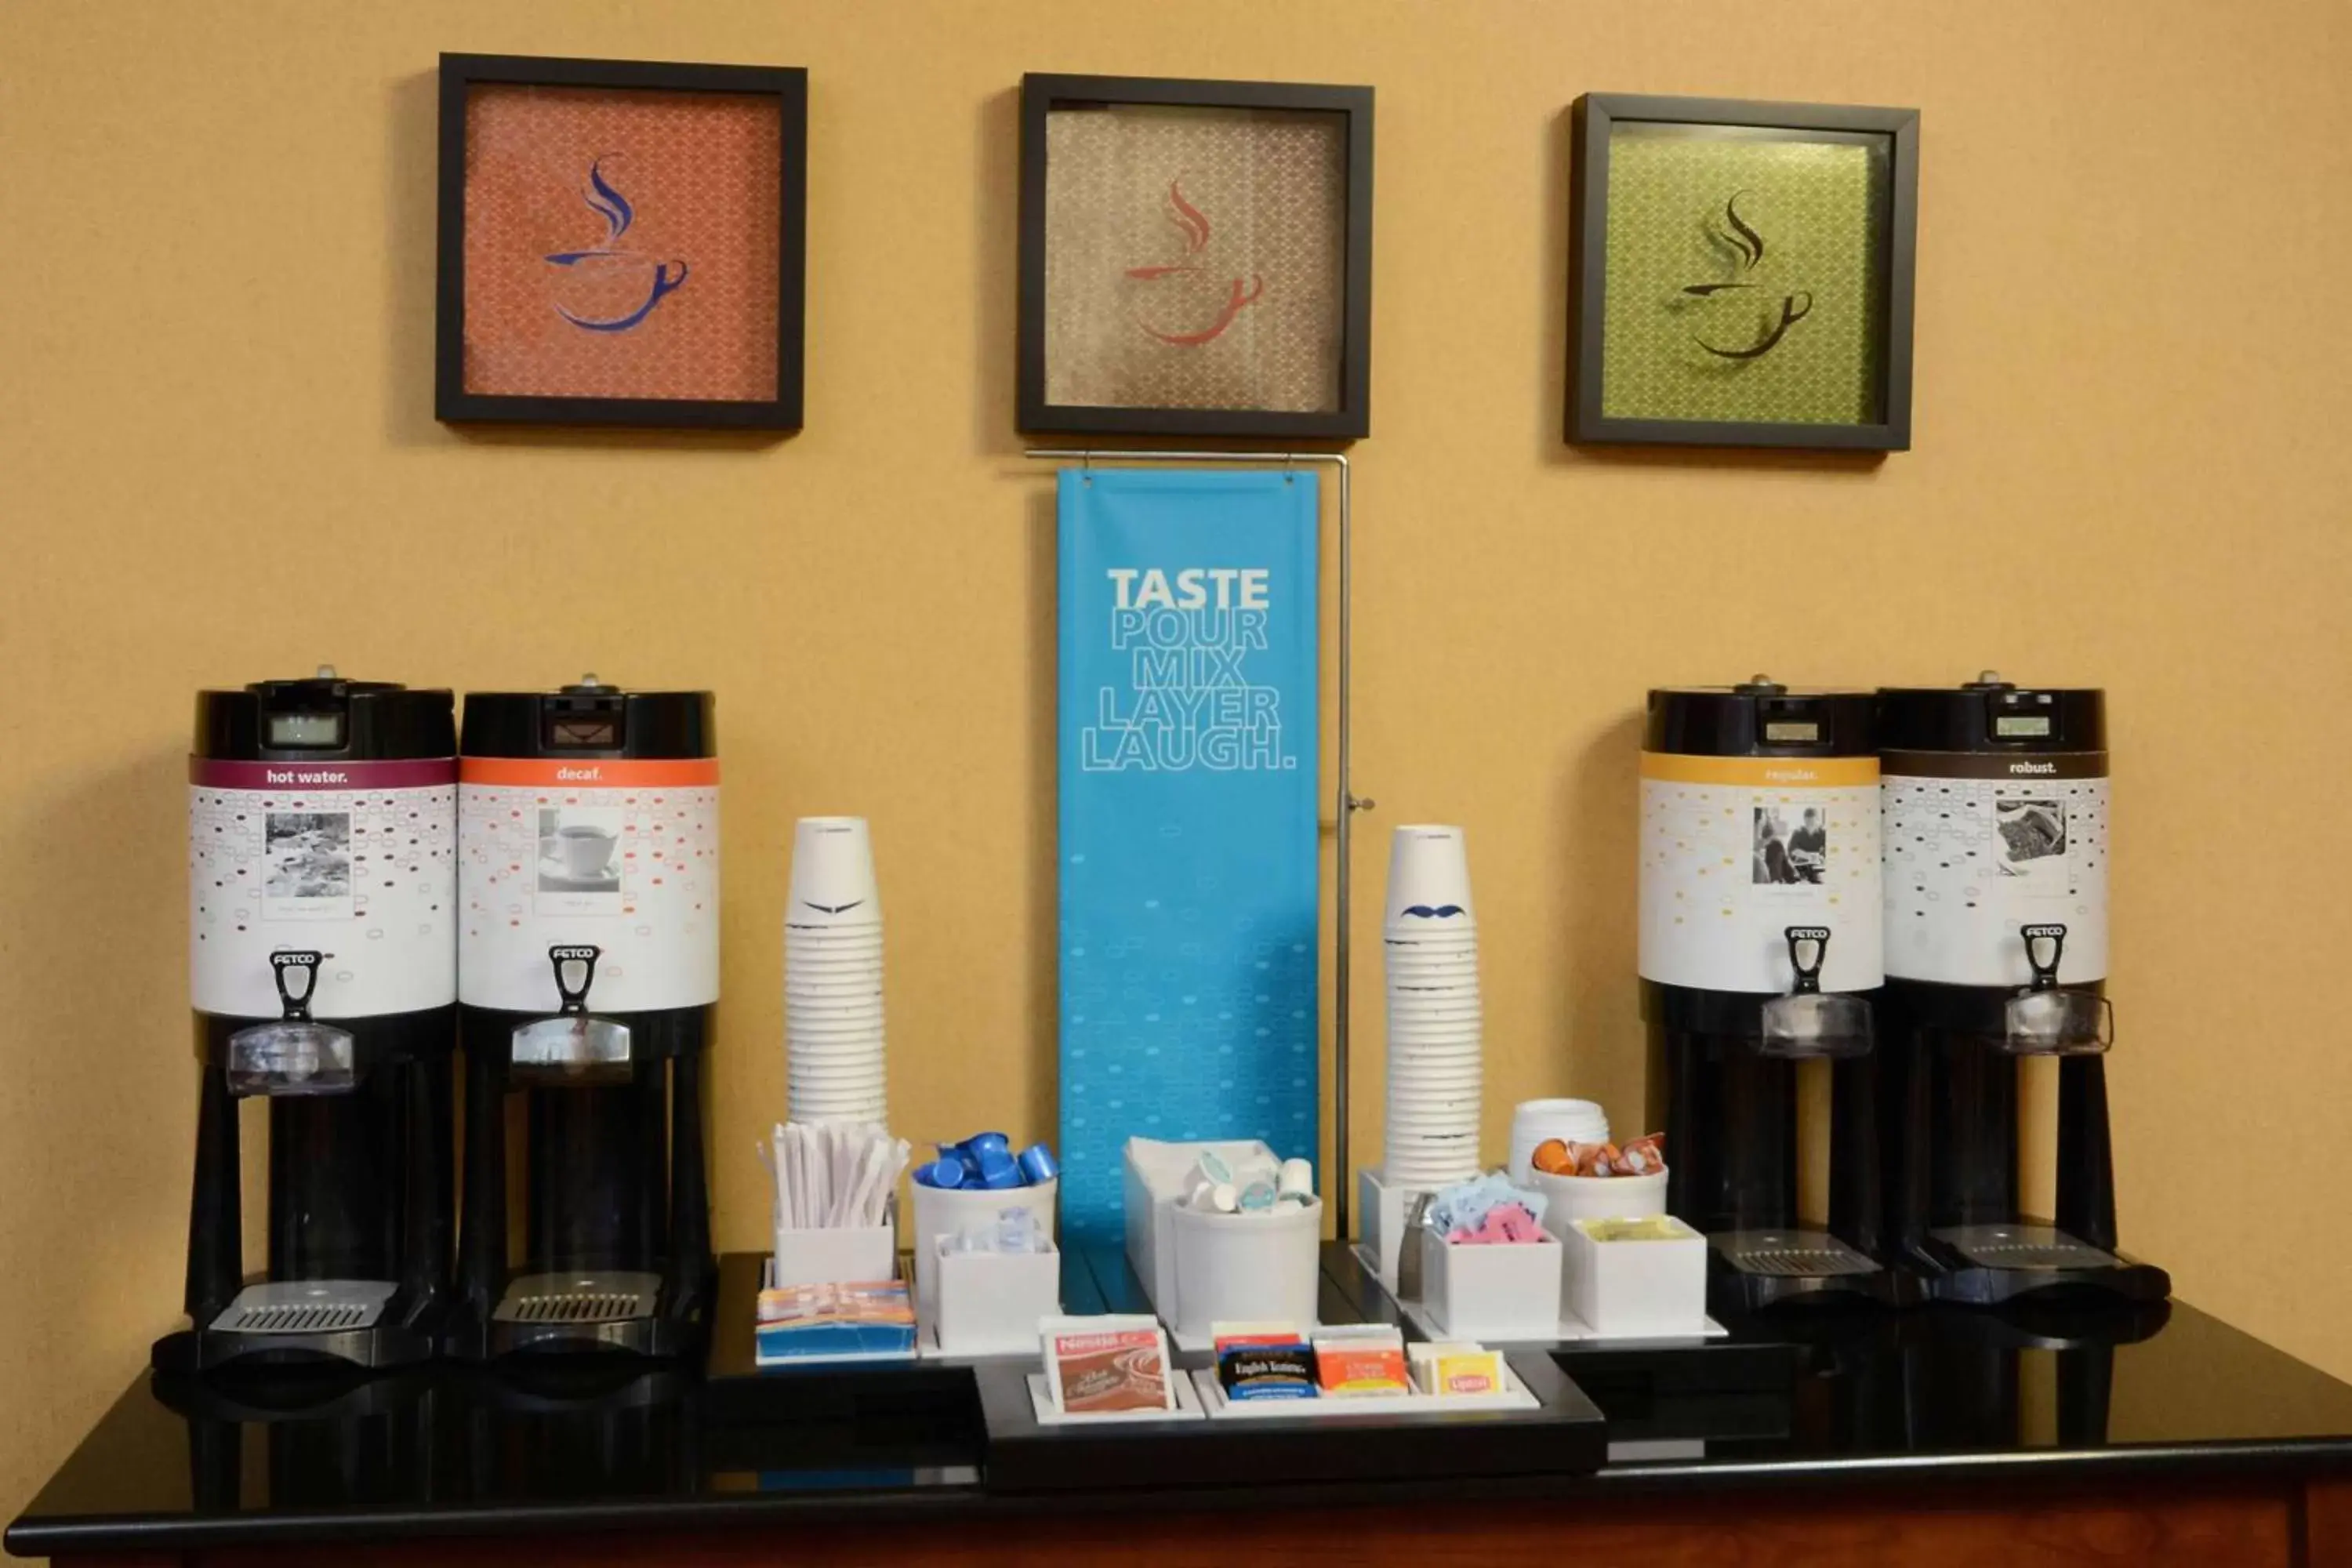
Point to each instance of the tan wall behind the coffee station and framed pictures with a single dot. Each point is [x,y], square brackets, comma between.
[218,462]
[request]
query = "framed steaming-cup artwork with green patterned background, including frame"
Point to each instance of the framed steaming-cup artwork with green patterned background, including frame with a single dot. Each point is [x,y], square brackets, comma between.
[1742,274]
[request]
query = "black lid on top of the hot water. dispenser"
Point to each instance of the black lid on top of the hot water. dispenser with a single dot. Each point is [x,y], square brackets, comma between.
[326,718]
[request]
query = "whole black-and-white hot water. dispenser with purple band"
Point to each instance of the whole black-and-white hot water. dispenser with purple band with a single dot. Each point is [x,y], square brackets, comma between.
[323,974]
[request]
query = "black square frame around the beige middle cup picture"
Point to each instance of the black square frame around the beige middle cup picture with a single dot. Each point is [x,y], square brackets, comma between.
[1043,93]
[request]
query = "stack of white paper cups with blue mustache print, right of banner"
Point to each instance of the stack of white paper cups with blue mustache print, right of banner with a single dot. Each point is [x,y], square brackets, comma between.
[1436,1050]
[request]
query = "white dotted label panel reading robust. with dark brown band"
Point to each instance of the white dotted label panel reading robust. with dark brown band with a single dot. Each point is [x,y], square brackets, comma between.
[1984,847]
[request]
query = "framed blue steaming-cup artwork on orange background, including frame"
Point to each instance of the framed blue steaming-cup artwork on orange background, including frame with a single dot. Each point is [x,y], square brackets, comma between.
[622,243]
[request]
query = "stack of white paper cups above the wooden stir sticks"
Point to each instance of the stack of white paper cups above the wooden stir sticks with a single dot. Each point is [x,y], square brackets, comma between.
[834,974]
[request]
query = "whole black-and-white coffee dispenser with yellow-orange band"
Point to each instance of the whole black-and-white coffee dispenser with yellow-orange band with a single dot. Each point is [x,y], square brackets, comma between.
[1760,944]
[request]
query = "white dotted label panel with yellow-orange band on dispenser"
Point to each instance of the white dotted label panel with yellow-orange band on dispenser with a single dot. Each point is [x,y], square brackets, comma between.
[1739,850]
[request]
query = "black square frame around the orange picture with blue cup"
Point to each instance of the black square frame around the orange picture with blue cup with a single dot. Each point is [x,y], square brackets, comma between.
[791,91]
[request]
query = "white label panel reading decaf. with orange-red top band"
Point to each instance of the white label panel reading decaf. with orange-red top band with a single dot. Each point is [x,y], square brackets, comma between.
[613,852]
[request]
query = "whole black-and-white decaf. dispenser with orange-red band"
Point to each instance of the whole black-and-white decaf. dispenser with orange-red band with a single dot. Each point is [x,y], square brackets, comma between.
[589,840]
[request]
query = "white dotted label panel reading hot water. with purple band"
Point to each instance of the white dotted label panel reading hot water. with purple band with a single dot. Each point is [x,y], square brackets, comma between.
[352,859]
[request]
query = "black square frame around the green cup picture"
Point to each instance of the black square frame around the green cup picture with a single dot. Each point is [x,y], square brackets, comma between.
[1589,272]
